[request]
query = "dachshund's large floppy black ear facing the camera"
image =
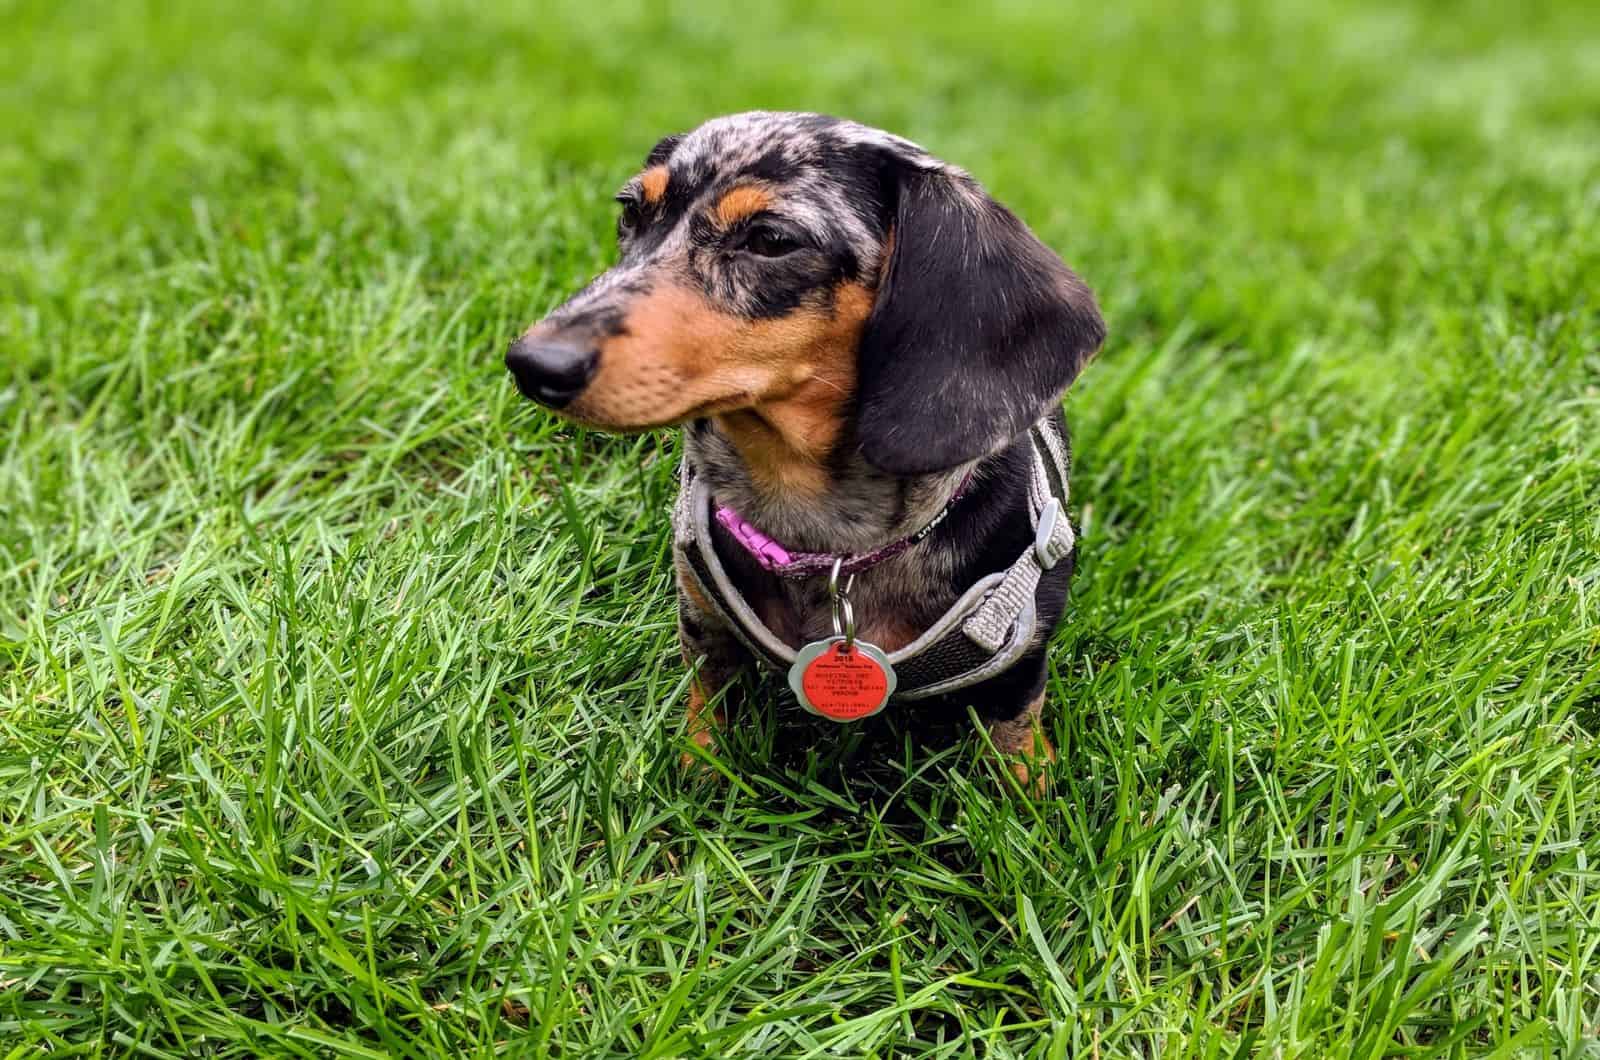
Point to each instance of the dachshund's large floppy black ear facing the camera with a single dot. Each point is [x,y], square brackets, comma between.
[977,331]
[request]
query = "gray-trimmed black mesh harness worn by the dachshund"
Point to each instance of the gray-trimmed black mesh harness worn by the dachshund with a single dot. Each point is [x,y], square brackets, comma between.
[991,627]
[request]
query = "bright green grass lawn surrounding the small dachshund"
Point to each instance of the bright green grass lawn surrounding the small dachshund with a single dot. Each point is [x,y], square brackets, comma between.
[340,702]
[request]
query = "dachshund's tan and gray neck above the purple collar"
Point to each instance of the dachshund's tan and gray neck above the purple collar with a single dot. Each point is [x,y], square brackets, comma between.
[825,502]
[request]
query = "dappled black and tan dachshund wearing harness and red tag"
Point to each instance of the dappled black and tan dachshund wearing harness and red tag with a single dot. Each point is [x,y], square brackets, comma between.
[868,356]
